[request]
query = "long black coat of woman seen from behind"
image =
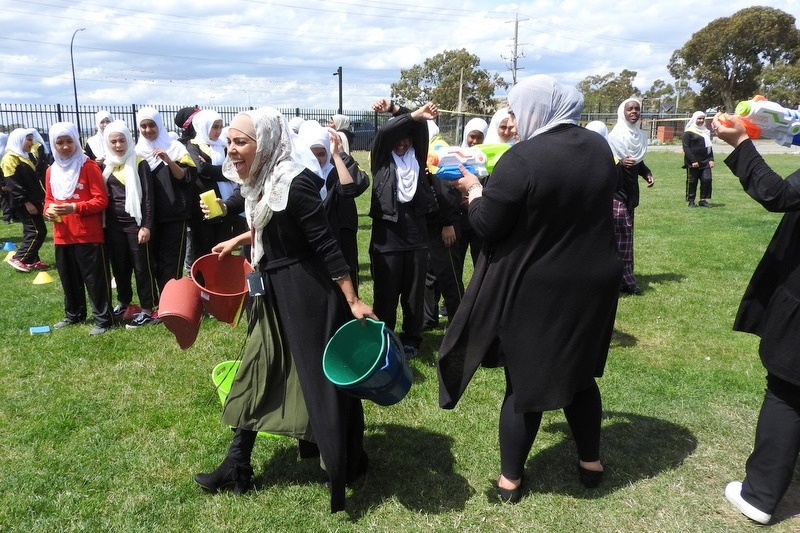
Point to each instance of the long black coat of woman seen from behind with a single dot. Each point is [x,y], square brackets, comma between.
[543,297]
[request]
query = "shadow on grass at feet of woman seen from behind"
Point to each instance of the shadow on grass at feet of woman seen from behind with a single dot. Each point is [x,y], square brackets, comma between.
[634,447]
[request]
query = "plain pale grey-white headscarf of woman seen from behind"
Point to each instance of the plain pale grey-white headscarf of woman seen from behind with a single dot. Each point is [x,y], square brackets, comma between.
[540,103]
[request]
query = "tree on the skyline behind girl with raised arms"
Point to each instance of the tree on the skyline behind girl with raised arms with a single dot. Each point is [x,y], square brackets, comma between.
[438,80]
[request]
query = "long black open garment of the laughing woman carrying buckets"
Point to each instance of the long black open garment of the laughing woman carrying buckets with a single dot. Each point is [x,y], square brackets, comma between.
[301,258]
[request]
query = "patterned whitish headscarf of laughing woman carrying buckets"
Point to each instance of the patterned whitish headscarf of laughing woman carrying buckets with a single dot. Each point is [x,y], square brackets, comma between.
[266,189]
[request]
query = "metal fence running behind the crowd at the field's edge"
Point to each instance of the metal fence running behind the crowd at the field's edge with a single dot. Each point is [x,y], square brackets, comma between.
[363,122]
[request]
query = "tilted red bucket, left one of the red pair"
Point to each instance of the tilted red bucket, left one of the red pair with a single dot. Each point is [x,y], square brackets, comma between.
[181,310]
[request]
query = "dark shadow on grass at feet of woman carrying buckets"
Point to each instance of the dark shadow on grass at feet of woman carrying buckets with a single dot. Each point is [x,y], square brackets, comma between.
[414,466]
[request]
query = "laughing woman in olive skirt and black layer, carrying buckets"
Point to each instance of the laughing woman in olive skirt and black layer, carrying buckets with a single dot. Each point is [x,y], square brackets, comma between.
[280,387]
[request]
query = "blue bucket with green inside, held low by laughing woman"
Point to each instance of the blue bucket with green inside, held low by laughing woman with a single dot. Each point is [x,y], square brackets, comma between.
[366,360]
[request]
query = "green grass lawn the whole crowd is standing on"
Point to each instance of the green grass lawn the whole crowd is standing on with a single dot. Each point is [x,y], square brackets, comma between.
[105,433]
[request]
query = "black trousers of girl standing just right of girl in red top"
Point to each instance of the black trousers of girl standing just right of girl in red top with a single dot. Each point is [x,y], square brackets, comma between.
[129,257]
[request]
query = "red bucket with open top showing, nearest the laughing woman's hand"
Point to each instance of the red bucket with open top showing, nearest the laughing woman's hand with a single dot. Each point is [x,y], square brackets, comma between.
[223,285]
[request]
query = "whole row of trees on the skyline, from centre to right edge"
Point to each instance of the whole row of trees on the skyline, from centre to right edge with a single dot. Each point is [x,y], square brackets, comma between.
[754,51]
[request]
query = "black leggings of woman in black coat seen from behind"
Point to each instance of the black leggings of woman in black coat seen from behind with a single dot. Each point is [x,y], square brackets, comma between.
[518,430]
